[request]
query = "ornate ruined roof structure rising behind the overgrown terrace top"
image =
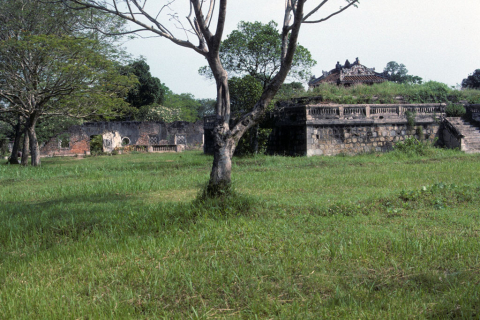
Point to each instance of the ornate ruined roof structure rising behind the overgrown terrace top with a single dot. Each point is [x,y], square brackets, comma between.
[349,74]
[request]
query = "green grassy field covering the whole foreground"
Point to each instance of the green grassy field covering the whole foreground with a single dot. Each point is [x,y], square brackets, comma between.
[377,236]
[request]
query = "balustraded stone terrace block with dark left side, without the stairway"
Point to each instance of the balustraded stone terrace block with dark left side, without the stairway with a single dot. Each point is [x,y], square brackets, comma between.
[311,129]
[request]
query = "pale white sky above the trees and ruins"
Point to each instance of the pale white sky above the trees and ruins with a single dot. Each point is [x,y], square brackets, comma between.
[435,39]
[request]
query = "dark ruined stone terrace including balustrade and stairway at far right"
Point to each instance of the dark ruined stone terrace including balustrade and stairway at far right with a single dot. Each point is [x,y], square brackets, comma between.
[307,127]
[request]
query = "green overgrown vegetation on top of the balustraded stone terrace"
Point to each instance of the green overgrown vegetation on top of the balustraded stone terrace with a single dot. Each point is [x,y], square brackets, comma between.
[389,92]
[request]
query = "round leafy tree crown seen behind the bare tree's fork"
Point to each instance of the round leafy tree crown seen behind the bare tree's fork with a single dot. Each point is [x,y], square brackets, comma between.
[255,49]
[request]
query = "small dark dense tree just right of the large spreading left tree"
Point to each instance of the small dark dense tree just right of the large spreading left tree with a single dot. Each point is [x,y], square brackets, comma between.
[149,89]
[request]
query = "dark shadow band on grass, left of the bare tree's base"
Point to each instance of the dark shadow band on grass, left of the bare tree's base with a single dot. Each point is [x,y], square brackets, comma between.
[75,217]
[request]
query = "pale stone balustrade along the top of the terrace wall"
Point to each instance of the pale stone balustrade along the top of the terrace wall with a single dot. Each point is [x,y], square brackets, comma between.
[372,111]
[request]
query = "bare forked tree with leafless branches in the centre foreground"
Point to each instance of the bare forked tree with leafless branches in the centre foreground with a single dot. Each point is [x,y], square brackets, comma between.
[198,23]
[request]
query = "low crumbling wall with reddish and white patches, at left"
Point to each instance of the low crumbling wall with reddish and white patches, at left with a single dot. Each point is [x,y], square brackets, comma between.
[139,136]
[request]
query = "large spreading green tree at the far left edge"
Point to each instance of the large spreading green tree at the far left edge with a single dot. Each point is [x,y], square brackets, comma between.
[50,67]
